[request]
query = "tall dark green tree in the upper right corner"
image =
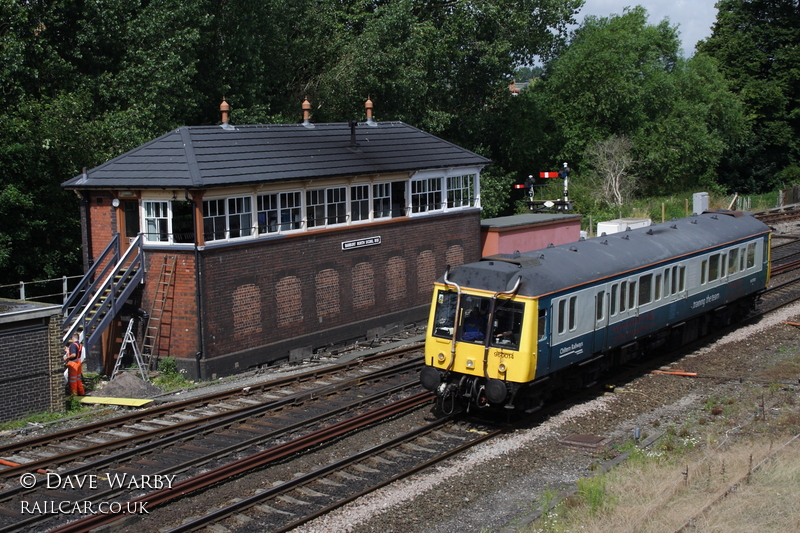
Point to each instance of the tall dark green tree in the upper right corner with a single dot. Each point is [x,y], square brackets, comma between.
[756,44]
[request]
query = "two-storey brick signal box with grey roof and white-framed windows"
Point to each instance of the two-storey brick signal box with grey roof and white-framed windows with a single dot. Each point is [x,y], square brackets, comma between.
[269,241]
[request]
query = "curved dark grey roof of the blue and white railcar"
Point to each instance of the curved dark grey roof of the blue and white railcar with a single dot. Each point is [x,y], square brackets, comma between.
[556,268]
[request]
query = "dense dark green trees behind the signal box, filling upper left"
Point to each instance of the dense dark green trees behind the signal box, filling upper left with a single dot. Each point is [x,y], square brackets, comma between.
[82,82]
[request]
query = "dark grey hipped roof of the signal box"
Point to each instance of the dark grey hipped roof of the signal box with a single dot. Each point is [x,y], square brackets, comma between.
[212,156]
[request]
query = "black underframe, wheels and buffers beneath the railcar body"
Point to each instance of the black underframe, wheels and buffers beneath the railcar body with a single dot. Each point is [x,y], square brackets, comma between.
[460,391]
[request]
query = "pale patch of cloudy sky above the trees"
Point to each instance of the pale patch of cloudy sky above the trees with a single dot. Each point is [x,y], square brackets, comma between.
[694,18]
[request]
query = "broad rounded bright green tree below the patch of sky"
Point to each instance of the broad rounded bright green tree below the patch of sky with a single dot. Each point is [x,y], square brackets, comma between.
[620,76]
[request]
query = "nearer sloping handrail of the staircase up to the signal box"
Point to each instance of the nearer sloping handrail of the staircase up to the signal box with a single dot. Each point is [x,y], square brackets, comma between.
[132,258]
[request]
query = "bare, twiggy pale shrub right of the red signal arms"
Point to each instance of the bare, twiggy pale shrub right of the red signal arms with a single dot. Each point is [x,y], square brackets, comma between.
[611,161]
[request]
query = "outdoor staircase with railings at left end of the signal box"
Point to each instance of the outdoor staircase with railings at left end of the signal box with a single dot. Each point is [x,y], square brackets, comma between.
[103,291]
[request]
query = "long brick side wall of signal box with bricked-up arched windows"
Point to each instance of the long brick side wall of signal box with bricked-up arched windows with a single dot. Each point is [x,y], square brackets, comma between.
[258,294]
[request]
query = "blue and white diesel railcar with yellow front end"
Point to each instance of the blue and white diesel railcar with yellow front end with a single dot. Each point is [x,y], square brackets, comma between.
[512,328]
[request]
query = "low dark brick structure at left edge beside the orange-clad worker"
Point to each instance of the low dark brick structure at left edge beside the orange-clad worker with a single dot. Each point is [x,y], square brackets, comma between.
[34,381]
